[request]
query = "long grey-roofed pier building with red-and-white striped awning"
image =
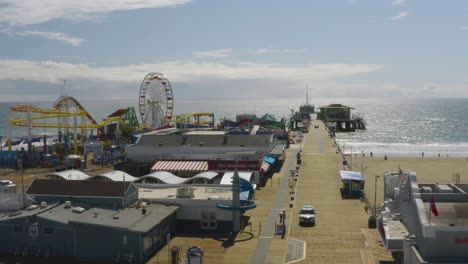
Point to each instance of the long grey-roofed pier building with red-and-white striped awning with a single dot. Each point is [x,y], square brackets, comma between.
[188,154]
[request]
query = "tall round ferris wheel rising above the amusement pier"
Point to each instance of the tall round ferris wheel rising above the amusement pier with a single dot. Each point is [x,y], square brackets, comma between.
[156,100]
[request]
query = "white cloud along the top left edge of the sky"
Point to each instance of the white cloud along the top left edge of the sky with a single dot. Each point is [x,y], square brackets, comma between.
[31,12]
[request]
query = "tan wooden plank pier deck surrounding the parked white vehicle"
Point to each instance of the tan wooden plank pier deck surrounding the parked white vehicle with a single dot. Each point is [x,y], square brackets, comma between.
[340,234]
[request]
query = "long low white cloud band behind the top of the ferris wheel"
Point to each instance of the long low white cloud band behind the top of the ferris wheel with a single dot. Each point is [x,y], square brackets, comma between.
[182,71]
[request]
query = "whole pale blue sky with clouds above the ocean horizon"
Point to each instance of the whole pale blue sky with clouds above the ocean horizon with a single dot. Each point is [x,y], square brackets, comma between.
[221,49]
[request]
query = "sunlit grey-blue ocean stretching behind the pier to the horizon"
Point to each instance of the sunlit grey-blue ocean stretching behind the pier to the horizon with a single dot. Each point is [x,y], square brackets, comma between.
[395,127]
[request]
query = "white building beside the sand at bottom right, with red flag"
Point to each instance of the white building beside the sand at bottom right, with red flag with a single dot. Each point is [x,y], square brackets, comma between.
[424,223]
